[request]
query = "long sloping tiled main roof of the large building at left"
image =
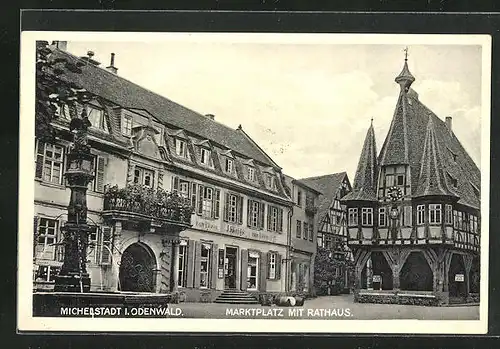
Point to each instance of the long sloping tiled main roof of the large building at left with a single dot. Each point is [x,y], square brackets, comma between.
[124,93]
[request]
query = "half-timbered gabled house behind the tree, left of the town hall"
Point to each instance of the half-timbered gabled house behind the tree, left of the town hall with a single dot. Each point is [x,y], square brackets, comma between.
[332,223]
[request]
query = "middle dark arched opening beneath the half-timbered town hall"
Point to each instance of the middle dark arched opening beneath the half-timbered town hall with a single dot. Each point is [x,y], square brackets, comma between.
[416,273]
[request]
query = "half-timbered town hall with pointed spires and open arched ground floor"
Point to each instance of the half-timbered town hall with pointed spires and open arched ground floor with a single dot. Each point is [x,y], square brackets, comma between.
[414,212]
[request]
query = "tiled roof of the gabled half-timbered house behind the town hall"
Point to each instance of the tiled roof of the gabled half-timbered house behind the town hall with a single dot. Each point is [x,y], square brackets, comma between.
[329,187]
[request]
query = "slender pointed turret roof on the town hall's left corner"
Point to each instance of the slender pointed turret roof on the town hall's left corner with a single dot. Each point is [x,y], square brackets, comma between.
[366,174]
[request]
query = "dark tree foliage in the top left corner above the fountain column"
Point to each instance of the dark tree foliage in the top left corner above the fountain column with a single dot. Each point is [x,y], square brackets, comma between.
[51,90]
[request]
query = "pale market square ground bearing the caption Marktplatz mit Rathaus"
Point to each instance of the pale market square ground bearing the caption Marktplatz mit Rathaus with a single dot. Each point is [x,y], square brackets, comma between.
[330,307]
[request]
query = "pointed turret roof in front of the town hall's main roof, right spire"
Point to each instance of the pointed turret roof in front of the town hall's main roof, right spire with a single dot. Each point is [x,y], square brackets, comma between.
[432,179]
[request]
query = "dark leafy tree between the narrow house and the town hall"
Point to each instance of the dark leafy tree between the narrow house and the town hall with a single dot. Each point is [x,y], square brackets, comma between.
[329,268]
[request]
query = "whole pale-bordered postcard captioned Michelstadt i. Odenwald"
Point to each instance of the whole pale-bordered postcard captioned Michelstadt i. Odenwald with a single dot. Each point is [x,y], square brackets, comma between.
[225,182]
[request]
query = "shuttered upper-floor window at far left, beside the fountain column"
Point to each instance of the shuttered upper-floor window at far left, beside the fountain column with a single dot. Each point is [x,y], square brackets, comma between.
[49,162]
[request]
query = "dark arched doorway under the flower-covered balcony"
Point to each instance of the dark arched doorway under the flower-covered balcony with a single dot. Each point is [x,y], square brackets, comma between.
[137,270]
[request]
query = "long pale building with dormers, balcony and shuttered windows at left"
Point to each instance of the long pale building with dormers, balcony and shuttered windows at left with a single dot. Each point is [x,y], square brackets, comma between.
[238,236]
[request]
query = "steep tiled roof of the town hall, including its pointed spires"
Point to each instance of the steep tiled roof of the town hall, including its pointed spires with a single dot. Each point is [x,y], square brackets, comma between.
[420,139]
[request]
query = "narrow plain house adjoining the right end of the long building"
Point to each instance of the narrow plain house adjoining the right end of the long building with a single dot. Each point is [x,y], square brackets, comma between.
[303,227]
